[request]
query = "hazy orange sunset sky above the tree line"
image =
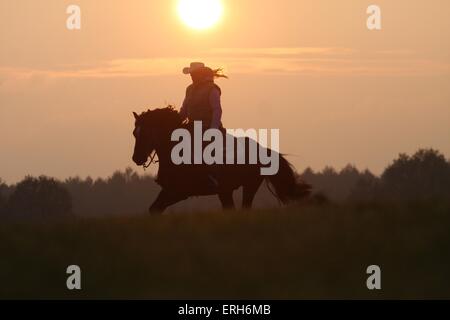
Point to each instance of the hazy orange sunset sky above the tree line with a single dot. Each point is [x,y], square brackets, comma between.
[338,92]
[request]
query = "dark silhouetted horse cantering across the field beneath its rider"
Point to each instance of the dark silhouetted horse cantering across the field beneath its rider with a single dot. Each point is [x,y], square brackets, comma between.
[153,130]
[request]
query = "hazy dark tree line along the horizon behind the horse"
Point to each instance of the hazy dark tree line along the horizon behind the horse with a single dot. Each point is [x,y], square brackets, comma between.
[421,177]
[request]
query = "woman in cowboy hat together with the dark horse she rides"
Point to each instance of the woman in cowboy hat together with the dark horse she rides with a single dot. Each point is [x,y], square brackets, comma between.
[153,130]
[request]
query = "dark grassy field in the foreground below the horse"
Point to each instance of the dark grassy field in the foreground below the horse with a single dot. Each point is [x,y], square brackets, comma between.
[308,252]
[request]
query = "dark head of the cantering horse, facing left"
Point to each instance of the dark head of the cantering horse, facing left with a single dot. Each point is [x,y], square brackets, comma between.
[151,129]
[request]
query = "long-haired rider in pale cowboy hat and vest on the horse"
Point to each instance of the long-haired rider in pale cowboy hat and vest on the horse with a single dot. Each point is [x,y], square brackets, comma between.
[202,101]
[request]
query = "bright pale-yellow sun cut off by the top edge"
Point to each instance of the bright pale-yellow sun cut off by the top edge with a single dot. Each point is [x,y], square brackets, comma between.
[200,14]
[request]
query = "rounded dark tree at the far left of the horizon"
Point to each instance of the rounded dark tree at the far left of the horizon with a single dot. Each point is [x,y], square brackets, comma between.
[41,197]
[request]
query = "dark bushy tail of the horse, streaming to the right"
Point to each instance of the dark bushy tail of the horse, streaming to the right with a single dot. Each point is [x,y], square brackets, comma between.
[287,187]
